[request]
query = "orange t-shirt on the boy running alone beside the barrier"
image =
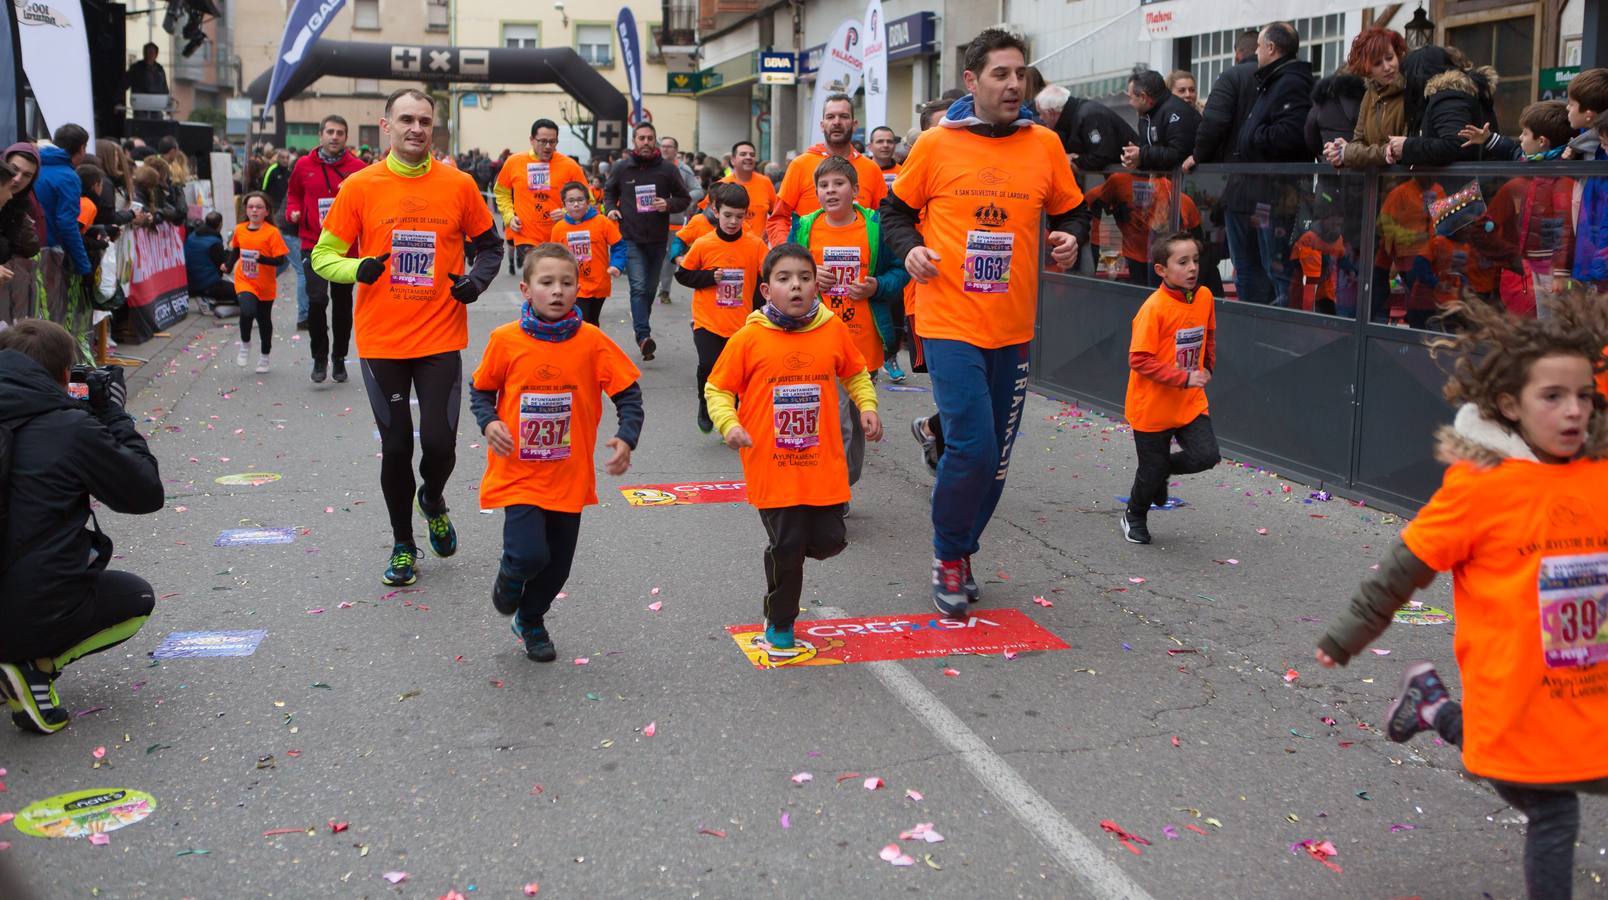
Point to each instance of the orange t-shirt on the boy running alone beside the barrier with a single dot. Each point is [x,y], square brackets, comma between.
[1178,333]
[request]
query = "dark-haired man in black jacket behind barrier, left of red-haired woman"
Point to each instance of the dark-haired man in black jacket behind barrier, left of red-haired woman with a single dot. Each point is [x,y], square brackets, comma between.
[1274,131]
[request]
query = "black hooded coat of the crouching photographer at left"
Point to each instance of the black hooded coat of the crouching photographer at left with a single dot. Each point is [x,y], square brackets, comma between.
[64,456]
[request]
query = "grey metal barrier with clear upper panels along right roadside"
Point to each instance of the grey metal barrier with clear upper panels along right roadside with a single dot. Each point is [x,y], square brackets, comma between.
[1327,285]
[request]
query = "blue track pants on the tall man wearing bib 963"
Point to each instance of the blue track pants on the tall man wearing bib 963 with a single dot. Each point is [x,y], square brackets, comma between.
[980,399]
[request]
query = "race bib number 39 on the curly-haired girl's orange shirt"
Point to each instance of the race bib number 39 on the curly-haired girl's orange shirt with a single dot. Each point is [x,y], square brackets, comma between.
[1573,592]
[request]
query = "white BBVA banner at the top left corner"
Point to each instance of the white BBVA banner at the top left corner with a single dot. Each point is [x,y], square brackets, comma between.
[57,60]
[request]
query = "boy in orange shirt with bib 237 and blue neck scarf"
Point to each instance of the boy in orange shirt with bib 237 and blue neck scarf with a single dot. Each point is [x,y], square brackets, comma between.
[536,398]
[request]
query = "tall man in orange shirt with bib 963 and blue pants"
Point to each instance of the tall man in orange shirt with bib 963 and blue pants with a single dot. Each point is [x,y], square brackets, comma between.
[978,186]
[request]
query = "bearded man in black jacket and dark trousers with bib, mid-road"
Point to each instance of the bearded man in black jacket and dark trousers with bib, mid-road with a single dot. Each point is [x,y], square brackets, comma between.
[642,192]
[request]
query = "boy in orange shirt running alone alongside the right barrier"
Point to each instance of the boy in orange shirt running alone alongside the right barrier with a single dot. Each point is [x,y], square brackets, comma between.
[1171,356]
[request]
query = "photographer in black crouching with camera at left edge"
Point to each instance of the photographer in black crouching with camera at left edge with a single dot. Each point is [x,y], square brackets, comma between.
[59,602]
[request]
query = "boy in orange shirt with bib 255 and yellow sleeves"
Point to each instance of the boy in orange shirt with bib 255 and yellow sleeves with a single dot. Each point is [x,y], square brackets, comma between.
[771,395]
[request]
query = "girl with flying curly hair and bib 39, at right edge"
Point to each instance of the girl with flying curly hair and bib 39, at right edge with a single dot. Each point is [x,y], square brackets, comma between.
[1520,525]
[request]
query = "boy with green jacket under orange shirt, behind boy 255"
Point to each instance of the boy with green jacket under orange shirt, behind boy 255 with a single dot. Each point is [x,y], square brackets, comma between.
[856,279]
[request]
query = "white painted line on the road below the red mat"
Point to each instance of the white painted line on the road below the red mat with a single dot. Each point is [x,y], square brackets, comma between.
[1065,843]
